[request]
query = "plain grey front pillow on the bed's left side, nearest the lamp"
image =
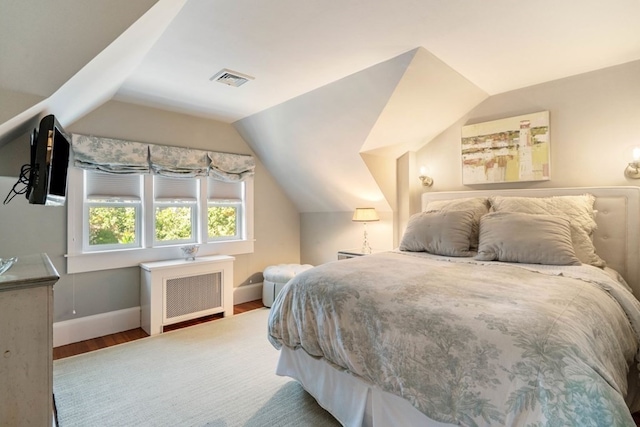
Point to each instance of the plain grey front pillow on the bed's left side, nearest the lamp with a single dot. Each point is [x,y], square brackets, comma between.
[440,233]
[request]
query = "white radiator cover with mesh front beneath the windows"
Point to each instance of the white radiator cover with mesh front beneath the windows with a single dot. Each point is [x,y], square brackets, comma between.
[178,290]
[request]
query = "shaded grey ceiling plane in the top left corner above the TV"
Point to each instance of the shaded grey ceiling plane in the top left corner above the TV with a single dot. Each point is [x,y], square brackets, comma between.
[44,43]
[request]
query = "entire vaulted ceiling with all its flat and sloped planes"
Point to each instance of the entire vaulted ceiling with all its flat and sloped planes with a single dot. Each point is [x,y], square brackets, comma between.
[334,83]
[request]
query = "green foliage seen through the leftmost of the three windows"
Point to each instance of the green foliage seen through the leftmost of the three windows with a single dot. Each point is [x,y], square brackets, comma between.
[112,225]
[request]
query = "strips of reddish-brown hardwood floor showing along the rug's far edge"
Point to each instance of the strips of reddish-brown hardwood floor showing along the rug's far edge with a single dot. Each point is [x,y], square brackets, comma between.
[134,334]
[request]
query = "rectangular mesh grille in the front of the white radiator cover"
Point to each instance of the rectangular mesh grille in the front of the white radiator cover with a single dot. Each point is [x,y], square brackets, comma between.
[186,295]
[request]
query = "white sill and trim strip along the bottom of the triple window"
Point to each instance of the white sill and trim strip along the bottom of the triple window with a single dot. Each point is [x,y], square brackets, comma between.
[95,261]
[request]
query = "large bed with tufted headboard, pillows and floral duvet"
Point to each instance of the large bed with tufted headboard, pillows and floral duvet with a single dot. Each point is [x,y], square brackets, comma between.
[520,313]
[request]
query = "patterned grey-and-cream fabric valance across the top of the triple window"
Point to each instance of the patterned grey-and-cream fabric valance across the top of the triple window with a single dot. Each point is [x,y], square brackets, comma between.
[127,157]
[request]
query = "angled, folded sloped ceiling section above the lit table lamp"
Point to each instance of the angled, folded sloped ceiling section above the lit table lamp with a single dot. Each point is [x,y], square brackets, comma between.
[313,144]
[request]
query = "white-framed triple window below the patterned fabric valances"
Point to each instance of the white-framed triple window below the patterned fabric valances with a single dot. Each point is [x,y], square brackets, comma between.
[116,221]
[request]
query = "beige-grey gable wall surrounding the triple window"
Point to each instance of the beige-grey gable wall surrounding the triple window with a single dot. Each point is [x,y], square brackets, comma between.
[29,229]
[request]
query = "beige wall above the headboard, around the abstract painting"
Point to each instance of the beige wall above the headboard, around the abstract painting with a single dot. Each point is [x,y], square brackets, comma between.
[594,124]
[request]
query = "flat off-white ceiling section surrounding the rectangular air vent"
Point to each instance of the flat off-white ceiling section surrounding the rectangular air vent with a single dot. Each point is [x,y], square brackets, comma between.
[293,47]
